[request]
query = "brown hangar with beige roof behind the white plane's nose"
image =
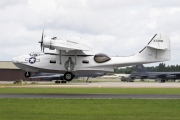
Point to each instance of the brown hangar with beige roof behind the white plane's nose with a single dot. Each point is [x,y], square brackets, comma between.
[9,72]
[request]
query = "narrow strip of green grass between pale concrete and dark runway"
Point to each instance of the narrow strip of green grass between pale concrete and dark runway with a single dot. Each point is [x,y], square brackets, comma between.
[92,90]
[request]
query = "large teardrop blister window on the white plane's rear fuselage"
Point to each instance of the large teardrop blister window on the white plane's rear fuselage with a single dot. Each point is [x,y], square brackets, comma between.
[101,58]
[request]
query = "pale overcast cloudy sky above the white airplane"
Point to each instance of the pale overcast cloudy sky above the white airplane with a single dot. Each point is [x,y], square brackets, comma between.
[113,27]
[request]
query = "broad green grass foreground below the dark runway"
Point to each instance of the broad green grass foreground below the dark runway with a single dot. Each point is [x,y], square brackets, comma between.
[89,109]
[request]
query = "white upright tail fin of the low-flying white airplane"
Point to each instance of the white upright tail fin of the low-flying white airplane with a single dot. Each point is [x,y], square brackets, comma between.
[157,50]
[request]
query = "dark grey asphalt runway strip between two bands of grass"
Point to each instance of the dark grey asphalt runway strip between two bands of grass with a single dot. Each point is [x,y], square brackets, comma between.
[90,96]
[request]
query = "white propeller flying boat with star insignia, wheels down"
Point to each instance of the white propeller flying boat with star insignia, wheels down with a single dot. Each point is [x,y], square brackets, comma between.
[71,58]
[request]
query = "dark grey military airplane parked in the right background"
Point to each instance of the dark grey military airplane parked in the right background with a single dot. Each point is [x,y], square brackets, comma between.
[142,73]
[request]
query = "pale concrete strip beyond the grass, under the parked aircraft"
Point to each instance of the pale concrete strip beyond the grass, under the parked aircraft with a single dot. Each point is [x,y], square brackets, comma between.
[100,85]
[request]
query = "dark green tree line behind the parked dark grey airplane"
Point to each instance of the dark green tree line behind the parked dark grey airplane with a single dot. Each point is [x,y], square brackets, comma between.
[160,68]
